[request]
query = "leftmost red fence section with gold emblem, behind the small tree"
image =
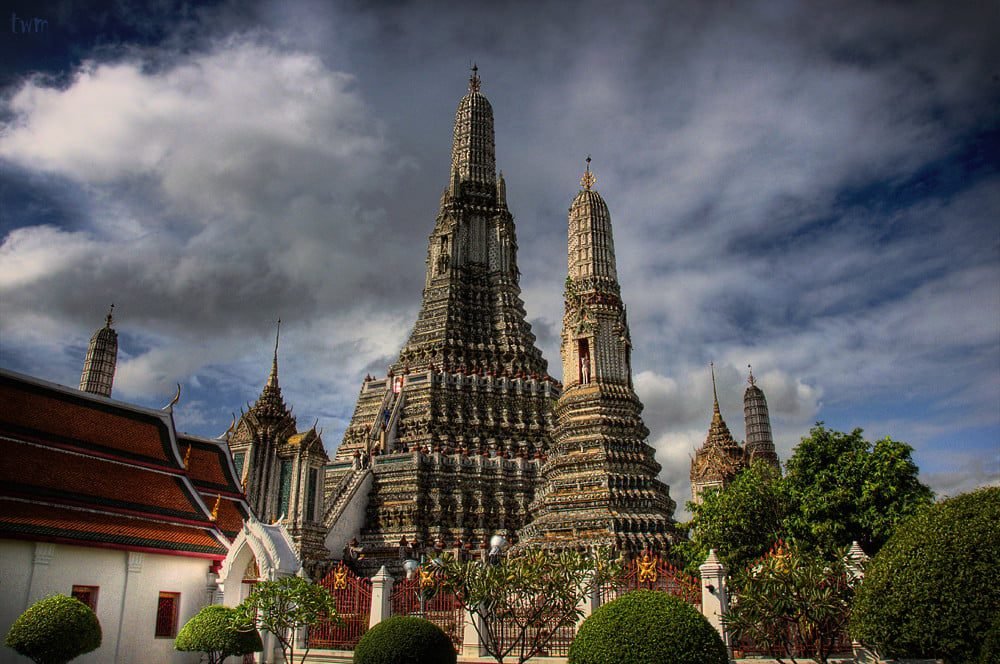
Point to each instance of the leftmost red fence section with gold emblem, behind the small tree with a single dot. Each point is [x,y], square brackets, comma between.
[353,595]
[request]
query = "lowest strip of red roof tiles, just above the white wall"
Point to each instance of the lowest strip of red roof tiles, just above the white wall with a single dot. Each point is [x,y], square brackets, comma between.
[36,521]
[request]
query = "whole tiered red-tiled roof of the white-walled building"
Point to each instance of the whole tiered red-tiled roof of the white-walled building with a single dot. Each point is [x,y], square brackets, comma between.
[92,471]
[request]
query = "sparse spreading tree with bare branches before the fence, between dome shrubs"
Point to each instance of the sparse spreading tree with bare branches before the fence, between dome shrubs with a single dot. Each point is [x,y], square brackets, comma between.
[531,595]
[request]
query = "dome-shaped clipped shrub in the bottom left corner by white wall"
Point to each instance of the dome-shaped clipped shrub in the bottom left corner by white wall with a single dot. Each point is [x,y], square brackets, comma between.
[54,630]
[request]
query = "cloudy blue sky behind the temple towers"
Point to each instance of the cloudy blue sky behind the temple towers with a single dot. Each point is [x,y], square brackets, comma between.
[810,189]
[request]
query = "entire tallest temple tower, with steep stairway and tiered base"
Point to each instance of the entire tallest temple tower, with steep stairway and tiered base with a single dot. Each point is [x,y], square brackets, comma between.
[453,431]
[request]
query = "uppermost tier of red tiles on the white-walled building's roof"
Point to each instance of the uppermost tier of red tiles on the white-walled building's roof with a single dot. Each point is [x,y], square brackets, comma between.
[82,421]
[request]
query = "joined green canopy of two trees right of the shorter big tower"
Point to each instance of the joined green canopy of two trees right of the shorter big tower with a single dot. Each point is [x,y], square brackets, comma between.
[838,488]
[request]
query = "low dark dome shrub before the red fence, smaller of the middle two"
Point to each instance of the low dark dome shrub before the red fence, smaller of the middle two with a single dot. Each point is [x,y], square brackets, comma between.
[405,640]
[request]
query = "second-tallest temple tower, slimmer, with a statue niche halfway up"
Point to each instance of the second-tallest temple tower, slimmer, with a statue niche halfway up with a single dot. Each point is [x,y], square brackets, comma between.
[600,486]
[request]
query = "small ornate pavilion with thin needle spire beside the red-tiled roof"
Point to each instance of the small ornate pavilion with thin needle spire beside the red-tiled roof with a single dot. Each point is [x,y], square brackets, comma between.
[282,469]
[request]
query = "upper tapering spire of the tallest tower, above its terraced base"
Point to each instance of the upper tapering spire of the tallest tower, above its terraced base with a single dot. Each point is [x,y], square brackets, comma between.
[472,315]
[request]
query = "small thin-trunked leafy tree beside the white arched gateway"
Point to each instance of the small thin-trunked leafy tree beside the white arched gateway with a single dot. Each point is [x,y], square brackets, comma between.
[283,607]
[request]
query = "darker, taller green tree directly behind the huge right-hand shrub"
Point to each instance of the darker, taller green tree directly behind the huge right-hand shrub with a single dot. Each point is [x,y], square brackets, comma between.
[843,488]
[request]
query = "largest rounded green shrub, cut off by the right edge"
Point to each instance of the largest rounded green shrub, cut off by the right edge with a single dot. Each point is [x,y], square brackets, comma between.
[931,591]
